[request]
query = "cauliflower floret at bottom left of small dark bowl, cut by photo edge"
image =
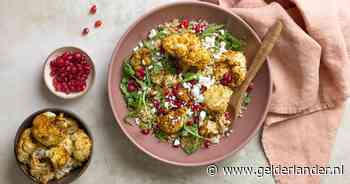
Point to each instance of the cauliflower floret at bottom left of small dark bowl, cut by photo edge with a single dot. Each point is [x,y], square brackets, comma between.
[40,166]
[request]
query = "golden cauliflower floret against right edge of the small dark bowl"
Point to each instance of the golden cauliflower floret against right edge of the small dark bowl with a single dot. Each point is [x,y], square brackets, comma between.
[82,145]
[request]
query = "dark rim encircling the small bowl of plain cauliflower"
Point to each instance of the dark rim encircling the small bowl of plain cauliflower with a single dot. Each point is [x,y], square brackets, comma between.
[81,124]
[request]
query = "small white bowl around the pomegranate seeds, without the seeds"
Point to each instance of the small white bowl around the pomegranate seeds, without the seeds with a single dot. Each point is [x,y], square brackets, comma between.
[49,79]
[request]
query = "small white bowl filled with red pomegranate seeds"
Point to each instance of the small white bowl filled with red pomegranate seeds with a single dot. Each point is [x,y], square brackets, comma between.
[69,72]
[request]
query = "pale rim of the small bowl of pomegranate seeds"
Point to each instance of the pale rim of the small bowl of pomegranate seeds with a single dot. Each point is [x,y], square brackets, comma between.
[92,74]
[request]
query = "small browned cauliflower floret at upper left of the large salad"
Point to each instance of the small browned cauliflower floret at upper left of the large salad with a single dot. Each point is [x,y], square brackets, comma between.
[141,57]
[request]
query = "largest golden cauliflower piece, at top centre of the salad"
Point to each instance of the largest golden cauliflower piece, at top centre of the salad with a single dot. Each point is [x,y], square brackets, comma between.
[188,49]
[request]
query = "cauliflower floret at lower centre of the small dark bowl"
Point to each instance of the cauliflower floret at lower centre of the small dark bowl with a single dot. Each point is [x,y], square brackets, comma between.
[59,157]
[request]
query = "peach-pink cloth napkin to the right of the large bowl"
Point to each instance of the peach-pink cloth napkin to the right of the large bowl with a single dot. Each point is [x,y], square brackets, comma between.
[311,74]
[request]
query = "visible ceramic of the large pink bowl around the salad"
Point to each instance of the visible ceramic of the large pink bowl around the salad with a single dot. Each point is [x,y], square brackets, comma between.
[244,128]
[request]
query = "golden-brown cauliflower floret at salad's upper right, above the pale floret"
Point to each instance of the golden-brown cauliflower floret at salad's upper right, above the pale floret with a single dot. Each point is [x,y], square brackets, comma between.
[233,62]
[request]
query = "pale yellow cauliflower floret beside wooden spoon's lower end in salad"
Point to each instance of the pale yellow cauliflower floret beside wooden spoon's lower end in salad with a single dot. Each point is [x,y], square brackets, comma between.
[217,97]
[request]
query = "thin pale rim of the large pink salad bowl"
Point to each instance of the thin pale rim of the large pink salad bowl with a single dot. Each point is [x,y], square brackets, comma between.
[110,90]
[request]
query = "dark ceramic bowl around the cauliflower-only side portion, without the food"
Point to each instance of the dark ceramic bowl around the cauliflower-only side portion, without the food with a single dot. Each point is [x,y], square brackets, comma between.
[74,174]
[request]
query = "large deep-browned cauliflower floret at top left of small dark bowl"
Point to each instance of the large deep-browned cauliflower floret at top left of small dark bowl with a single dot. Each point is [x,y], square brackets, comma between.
[45,132]
